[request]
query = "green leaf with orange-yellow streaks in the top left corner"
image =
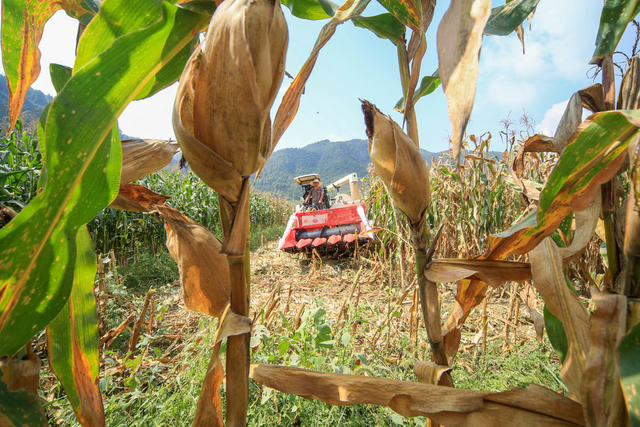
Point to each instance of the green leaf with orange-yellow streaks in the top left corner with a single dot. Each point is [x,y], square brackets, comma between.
[23,22]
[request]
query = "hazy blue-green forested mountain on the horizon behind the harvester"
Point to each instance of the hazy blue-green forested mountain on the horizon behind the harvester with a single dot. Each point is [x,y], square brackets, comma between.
[332,160]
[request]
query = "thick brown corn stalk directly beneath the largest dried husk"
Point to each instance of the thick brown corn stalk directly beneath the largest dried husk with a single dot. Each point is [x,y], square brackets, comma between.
[237,388]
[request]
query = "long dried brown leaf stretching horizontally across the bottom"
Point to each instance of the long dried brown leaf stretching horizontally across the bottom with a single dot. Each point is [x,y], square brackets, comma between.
[444,405]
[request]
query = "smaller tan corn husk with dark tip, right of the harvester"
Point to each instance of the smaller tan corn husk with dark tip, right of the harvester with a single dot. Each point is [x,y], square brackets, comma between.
[398,162]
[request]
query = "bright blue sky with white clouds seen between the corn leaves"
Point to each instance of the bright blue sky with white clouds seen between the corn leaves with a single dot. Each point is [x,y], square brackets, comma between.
[357,64]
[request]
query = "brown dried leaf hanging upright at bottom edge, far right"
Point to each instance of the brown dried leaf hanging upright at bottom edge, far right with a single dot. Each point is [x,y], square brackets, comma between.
[602,394]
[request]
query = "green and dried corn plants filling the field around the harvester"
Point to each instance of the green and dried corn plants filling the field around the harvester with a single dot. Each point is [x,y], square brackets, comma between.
[559,213]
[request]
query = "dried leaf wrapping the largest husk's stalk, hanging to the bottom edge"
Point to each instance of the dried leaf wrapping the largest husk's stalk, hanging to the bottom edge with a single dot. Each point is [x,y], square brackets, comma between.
[209,411]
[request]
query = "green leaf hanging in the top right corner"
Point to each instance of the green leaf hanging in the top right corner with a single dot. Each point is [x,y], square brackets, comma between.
[616,14]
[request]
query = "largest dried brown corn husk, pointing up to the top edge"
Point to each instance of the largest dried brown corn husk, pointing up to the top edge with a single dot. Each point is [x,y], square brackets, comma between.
[221,114]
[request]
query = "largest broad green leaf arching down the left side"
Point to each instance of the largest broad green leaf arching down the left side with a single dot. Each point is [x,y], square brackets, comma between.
[82,162]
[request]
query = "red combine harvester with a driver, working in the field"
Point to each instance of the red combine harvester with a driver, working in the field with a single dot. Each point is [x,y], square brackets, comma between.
[336,229]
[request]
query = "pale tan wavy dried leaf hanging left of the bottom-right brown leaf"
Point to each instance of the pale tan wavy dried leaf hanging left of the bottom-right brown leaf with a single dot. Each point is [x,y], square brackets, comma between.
[549,280]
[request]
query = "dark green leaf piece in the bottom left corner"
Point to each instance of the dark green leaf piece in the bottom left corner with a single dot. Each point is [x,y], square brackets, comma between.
[19,408]
